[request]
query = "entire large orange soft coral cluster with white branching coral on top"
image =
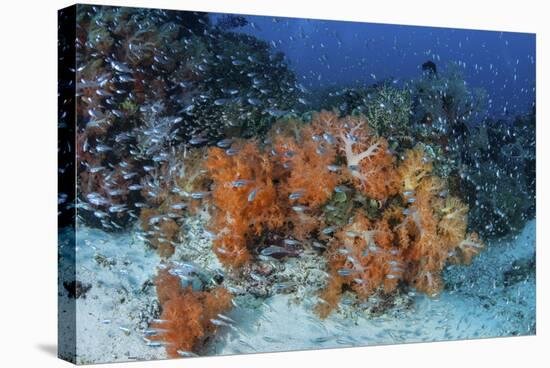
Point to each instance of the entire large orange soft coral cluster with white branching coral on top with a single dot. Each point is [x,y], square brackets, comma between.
[288,185]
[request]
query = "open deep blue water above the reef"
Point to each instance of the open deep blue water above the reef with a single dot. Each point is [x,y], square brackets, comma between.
[325,53]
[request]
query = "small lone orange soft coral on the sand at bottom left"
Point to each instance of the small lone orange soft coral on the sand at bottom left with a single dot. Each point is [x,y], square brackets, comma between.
[186,319]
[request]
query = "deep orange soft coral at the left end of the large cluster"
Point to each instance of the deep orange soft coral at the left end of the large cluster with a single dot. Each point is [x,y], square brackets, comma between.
[246,200]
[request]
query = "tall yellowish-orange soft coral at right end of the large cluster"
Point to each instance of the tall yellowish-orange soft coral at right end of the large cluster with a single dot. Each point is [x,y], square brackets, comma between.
[434,226]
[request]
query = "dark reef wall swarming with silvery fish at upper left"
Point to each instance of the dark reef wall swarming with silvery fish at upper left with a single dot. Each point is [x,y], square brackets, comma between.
[152,82]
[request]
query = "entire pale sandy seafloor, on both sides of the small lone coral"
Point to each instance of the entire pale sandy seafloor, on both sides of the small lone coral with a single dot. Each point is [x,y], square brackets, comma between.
[492,297]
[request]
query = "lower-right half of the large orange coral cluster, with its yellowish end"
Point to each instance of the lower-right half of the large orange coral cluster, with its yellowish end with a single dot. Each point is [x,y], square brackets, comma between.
[411,242]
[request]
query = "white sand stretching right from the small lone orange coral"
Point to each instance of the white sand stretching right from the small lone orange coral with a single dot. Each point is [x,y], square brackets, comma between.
[481,308]
